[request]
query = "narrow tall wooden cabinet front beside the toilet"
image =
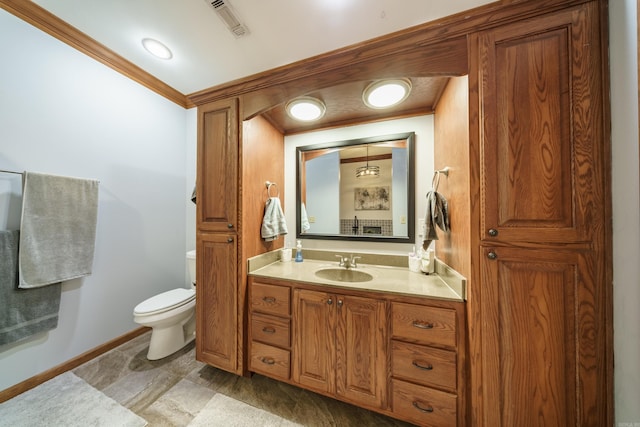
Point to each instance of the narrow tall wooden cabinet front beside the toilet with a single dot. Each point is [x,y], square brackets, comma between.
[217,236]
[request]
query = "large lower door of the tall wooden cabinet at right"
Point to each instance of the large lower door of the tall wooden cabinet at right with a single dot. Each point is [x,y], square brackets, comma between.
[542,341]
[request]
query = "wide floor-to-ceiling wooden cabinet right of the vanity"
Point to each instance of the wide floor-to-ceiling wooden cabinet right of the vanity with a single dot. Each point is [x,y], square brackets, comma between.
[540,303]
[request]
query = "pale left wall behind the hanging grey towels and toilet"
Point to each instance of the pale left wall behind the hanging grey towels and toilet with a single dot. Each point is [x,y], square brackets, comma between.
[63,113]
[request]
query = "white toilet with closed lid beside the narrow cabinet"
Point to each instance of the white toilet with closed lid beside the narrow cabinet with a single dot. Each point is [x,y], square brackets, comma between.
[171,316]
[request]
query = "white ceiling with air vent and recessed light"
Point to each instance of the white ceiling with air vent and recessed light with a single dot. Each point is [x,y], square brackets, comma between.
[207,54]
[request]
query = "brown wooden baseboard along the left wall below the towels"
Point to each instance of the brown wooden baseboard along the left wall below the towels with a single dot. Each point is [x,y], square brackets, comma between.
[38,379]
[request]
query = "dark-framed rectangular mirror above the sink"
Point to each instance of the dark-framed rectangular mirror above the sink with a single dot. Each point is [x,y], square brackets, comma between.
[359,189]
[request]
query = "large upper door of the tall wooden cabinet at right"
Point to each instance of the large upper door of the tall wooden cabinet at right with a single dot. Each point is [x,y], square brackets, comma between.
[541,128]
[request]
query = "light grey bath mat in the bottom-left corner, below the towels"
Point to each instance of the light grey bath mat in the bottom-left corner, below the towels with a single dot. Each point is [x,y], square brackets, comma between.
[68,401]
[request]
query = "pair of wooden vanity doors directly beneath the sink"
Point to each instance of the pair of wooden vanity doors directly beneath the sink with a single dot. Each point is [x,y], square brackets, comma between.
[340,345]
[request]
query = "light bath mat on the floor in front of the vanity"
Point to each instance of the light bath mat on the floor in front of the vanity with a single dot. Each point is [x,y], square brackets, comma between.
[225,411]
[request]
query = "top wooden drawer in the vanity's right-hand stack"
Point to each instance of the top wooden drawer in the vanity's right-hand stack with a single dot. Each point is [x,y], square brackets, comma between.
[424,324]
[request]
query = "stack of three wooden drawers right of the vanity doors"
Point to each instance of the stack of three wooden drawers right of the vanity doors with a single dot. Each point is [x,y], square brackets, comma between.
[427,363]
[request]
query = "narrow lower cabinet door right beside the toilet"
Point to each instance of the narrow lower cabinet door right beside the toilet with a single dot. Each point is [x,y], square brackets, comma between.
[216,300]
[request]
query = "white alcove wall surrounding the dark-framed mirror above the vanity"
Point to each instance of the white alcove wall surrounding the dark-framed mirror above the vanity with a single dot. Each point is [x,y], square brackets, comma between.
[421,125]
